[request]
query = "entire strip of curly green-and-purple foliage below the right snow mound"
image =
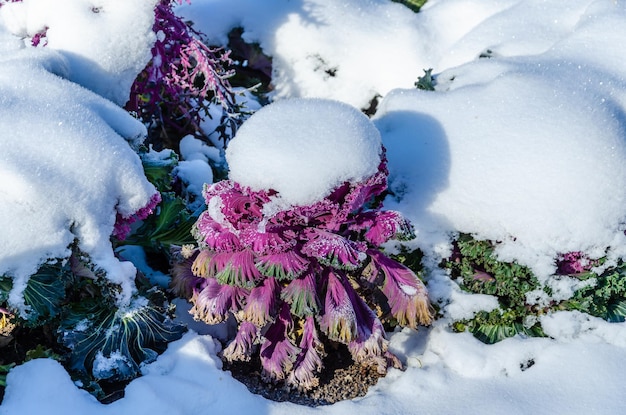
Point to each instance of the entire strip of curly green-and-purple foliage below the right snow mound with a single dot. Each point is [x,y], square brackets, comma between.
[477,269]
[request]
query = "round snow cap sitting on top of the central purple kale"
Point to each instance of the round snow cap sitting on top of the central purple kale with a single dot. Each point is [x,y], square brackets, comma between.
[303,149]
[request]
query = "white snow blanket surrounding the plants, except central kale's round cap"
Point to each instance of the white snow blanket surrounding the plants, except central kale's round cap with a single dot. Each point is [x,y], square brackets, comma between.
[526,146]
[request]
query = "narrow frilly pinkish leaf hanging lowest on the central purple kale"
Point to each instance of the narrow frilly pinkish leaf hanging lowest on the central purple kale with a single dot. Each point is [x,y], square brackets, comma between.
[309,362]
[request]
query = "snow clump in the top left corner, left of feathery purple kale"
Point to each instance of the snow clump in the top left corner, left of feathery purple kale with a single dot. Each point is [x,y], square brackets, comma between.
[105,43]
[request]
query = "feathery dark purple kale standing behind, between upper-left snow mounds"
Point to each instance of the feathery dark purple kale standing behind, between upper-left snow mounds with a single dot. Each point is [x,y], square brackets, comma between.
[183,79]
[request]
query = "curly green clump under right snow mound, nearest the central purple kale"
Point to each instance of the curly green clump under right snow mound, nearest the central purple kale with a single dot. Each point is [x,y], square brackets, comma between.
[476,269]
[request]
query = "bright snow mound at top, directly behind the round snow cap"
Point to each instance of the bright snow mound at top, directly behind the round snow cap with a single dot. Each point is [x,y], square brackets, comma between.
[324,62]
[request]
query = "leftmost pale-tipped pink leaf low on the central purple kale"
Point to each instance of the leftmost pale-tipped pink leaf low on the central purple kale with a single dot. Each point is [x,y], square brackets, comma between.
[213,303]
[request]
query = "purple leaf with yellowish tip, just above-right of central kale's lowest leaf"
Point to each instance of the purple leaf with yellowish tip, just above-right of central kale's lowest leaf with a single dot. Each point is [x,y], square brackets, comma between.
[339,319]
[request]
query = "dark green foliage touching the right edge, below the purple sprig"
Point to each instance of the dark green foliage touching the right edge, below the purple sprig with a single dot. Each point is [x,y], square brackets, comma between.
[606,298]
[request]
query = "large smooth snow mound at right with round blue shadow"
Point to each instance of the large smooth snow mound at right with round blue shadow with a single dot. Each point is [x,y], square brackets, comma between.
[542,179]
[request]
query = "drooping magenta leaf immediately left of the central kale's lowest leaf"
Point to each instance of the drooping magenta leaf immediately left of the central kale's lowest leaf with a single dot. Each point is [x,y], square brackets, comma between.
[278,353]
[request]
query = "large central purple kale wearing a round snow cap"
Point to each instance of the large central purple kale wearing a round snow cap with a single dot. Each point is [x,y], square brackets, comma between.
[298,275]
